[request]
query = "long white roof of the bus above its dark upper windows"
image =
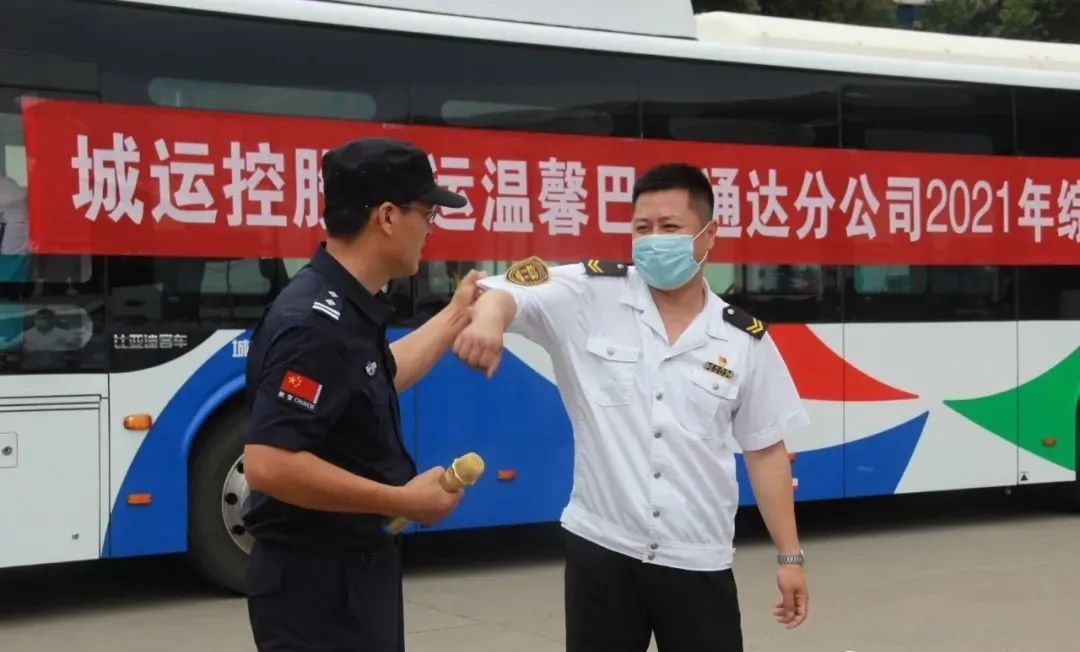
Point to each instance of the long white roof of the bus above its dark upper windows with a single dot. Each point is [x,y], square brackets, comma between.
[720,37]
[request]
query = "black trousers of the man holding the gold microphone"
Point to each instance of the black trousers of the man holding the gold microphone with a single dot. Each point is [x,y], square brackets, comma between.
[303,601]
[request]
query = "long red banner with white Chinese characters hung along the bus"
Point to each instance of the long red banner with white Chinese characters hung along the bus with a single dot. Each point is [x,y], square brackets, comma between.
[123,180]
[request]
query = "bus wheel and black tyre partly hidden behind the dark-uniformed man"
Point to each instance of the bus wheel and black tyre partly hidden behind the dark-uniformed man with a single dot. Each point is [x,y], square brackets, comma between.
[217,539]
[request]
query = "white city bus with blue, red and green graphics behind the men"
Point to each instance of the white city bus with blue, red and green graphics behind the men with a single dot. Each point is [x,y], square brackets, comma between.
[904,213]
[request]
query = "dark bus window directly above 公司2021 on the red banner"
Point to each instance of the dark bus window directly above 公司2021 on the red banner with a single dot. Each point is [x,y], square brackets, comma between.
[886,115]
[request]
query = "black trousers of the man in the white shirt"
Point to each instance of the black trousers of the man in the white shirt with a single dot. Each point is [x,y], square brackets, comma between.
[615,604]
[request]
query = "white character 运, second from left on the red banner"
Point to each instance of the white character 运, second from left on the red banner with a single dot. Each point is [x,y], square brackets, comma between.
[192,202]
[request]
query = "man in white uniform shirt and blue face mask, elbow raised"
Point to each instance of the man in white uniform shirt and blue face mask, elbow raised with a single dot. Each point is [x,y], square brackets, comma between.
[661,379]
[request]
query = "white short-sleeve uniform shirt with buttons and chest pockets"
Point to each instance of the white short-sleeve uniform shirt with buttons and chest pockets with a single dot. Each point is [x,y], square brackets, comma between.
[656,427]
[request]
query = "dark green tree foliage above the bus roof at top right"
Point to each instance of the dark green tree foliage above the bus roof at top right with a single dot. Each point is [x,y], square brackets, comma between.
[1036,20]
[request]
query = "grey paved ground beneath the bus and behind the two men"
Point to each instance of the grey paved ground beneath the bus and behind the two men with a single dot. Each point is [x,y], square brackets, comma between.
[980,573]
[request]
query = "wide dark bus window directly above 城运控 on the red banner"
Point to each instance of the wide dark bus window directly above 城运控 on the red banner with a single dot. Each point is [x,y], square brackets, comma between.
[309,77]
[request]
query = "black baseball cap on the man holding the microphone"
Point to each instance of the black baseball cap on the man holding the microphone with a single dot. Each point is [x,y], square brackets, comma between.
[368,172]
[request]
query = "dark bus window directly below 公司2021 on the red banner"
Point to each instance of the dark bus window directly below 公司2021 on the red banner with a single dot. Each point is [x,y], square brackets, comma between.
[930,294]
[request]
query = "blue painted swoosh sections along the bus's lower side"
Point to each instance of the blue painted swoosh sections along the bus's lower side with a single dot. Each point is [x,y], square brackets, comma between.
[516,422]
